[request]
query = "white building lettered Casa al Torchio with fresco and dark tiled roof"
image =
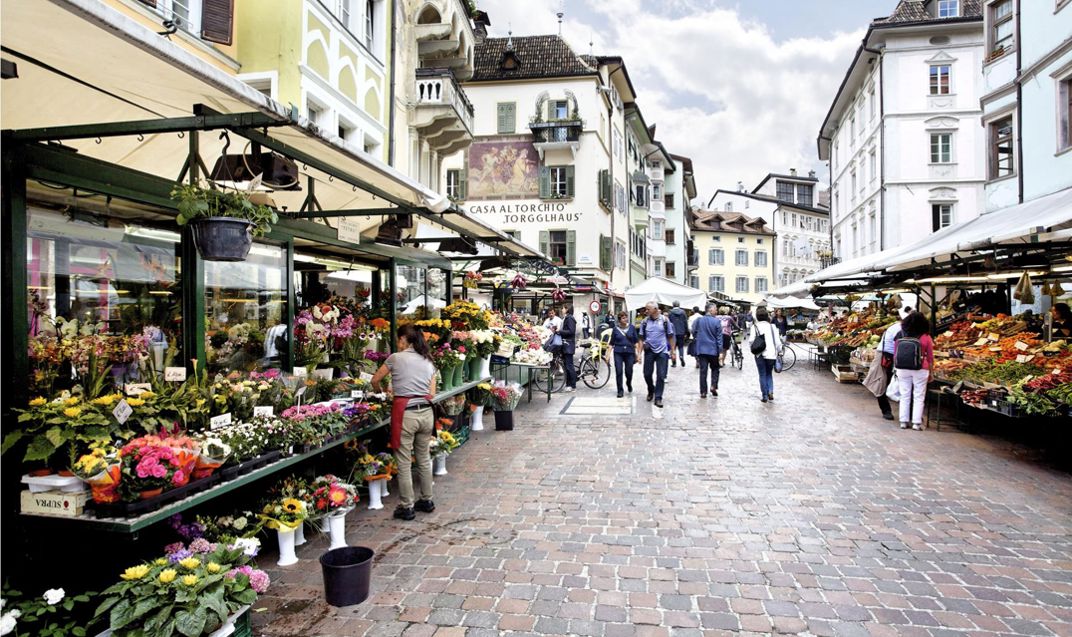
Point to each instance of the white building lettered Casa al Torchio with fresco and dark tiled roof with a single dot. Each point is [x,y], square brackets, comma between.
[548,160]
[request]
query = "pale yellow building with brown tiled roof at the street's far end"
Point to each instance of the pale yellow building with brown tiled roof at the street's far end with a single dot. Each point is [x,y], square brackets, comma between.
[735,255]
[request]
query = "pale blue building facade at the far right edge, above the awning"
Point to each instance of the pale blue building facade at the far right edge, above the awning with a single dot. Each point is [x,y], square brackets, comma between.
[1028,107]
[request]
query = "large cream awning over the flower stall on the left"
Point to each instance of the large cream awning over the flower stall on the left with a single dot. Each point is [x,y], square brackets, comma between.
[64,82]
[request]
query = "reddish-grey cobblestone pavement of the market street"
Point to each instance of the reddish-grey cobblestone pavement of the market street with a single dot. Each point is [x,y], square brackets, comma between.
[810,515]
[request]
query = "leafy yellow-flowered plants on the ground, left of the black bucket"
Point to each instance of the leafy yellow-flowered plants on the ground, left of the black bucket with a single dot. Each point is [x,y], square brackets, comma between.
[191,592]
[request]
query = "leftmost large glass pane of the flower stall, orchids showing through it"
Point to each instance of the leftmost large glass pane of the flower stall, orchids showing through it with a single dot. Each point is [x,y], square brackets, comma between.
[103,295]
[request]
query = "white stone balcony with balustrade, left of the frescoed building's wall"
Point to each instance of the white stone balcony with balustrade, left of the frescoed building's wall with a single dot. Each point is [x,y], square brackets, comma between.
[443,115]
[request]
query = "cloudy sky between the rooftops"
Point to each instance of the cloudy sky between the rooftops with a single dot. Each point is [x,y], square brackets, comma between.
[741,86]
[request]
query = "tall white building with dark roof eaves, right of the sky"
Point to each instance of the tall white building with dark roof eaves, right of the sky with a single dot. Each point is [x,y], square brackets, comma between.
[903,138]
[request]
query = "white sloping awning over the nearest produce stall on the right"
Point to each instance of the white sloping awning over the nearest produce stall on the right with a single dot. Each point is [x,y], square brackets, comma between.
[1023,224]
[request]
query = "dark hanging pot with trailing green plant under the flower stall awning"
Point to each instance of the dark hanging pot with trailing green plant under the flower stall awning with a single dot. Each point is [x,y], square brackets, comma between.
[225,221]
